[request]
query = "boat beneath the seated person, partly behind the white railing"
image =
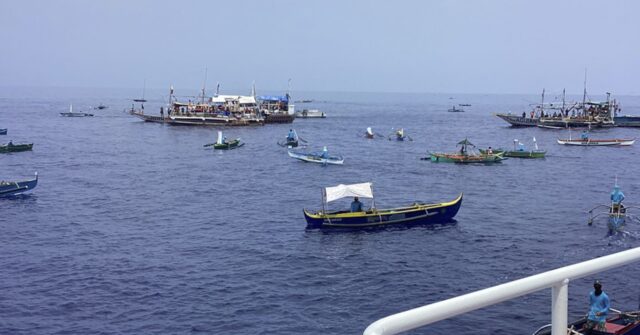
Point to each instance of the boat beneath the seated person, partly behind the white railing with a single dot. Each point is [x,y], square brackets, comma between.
[619,323]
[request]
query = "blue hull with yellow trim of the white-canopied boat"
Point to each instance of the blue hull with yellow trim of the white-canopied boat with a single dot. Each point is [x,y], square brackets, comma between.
[417,214]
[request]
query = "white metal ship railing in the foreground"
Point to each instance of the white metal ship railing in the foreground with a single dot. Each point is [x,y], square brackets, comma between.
[557,280]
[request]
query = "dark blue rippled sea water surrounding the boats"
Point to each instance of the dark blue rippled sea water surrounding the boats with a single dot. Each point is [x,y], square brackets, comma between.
[135,228]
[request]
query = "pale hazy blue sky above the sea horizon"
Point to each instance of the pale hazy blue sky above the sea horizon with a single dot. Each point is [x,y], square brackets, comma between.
[389,46]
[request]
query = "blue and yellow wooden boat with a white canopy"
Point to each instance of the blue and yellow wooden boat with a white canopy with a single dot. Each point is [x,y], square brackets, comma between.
[413,214]
